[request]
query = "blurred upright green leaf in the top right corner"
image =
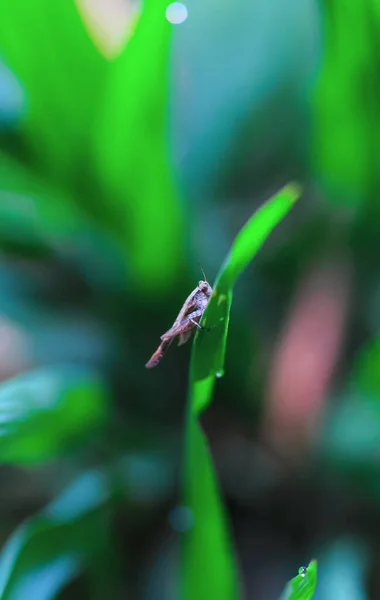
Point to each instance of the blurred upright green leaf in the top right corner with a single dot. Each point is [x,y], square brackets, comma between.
[346,104]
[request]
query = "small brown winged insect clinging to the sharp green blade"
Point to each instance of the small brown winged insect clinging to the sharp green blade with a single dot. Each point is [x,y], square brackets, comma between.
[186,322]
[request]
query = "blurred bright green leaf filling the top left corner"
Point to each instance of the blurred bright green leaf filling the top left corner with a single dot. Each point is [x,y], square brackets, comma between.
[47,46]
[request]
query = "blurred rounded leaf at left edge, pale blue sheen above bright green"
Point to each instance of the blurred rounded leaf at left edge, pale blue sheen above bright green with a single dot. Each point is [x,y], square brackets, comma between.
[42,412]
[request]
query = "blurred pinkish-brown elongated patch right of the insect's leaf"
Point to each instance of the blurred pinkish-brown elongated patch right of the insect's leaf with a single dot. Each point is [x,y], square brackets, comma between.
[305,358]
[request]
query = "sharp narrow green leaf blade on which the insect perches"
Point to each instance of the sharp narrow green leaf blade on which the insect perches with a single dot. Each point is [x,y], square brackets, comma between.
[206,547]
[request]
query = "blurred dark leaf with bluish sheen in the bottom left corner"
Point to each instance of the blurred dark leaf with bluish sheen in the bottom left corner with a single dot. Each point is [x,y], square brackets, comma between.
[54,546]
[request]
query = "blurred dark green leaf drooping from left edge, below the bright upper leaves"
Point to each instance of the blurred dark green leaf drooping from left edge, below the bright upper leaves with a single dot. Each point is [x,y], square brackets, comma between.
[40,219]
